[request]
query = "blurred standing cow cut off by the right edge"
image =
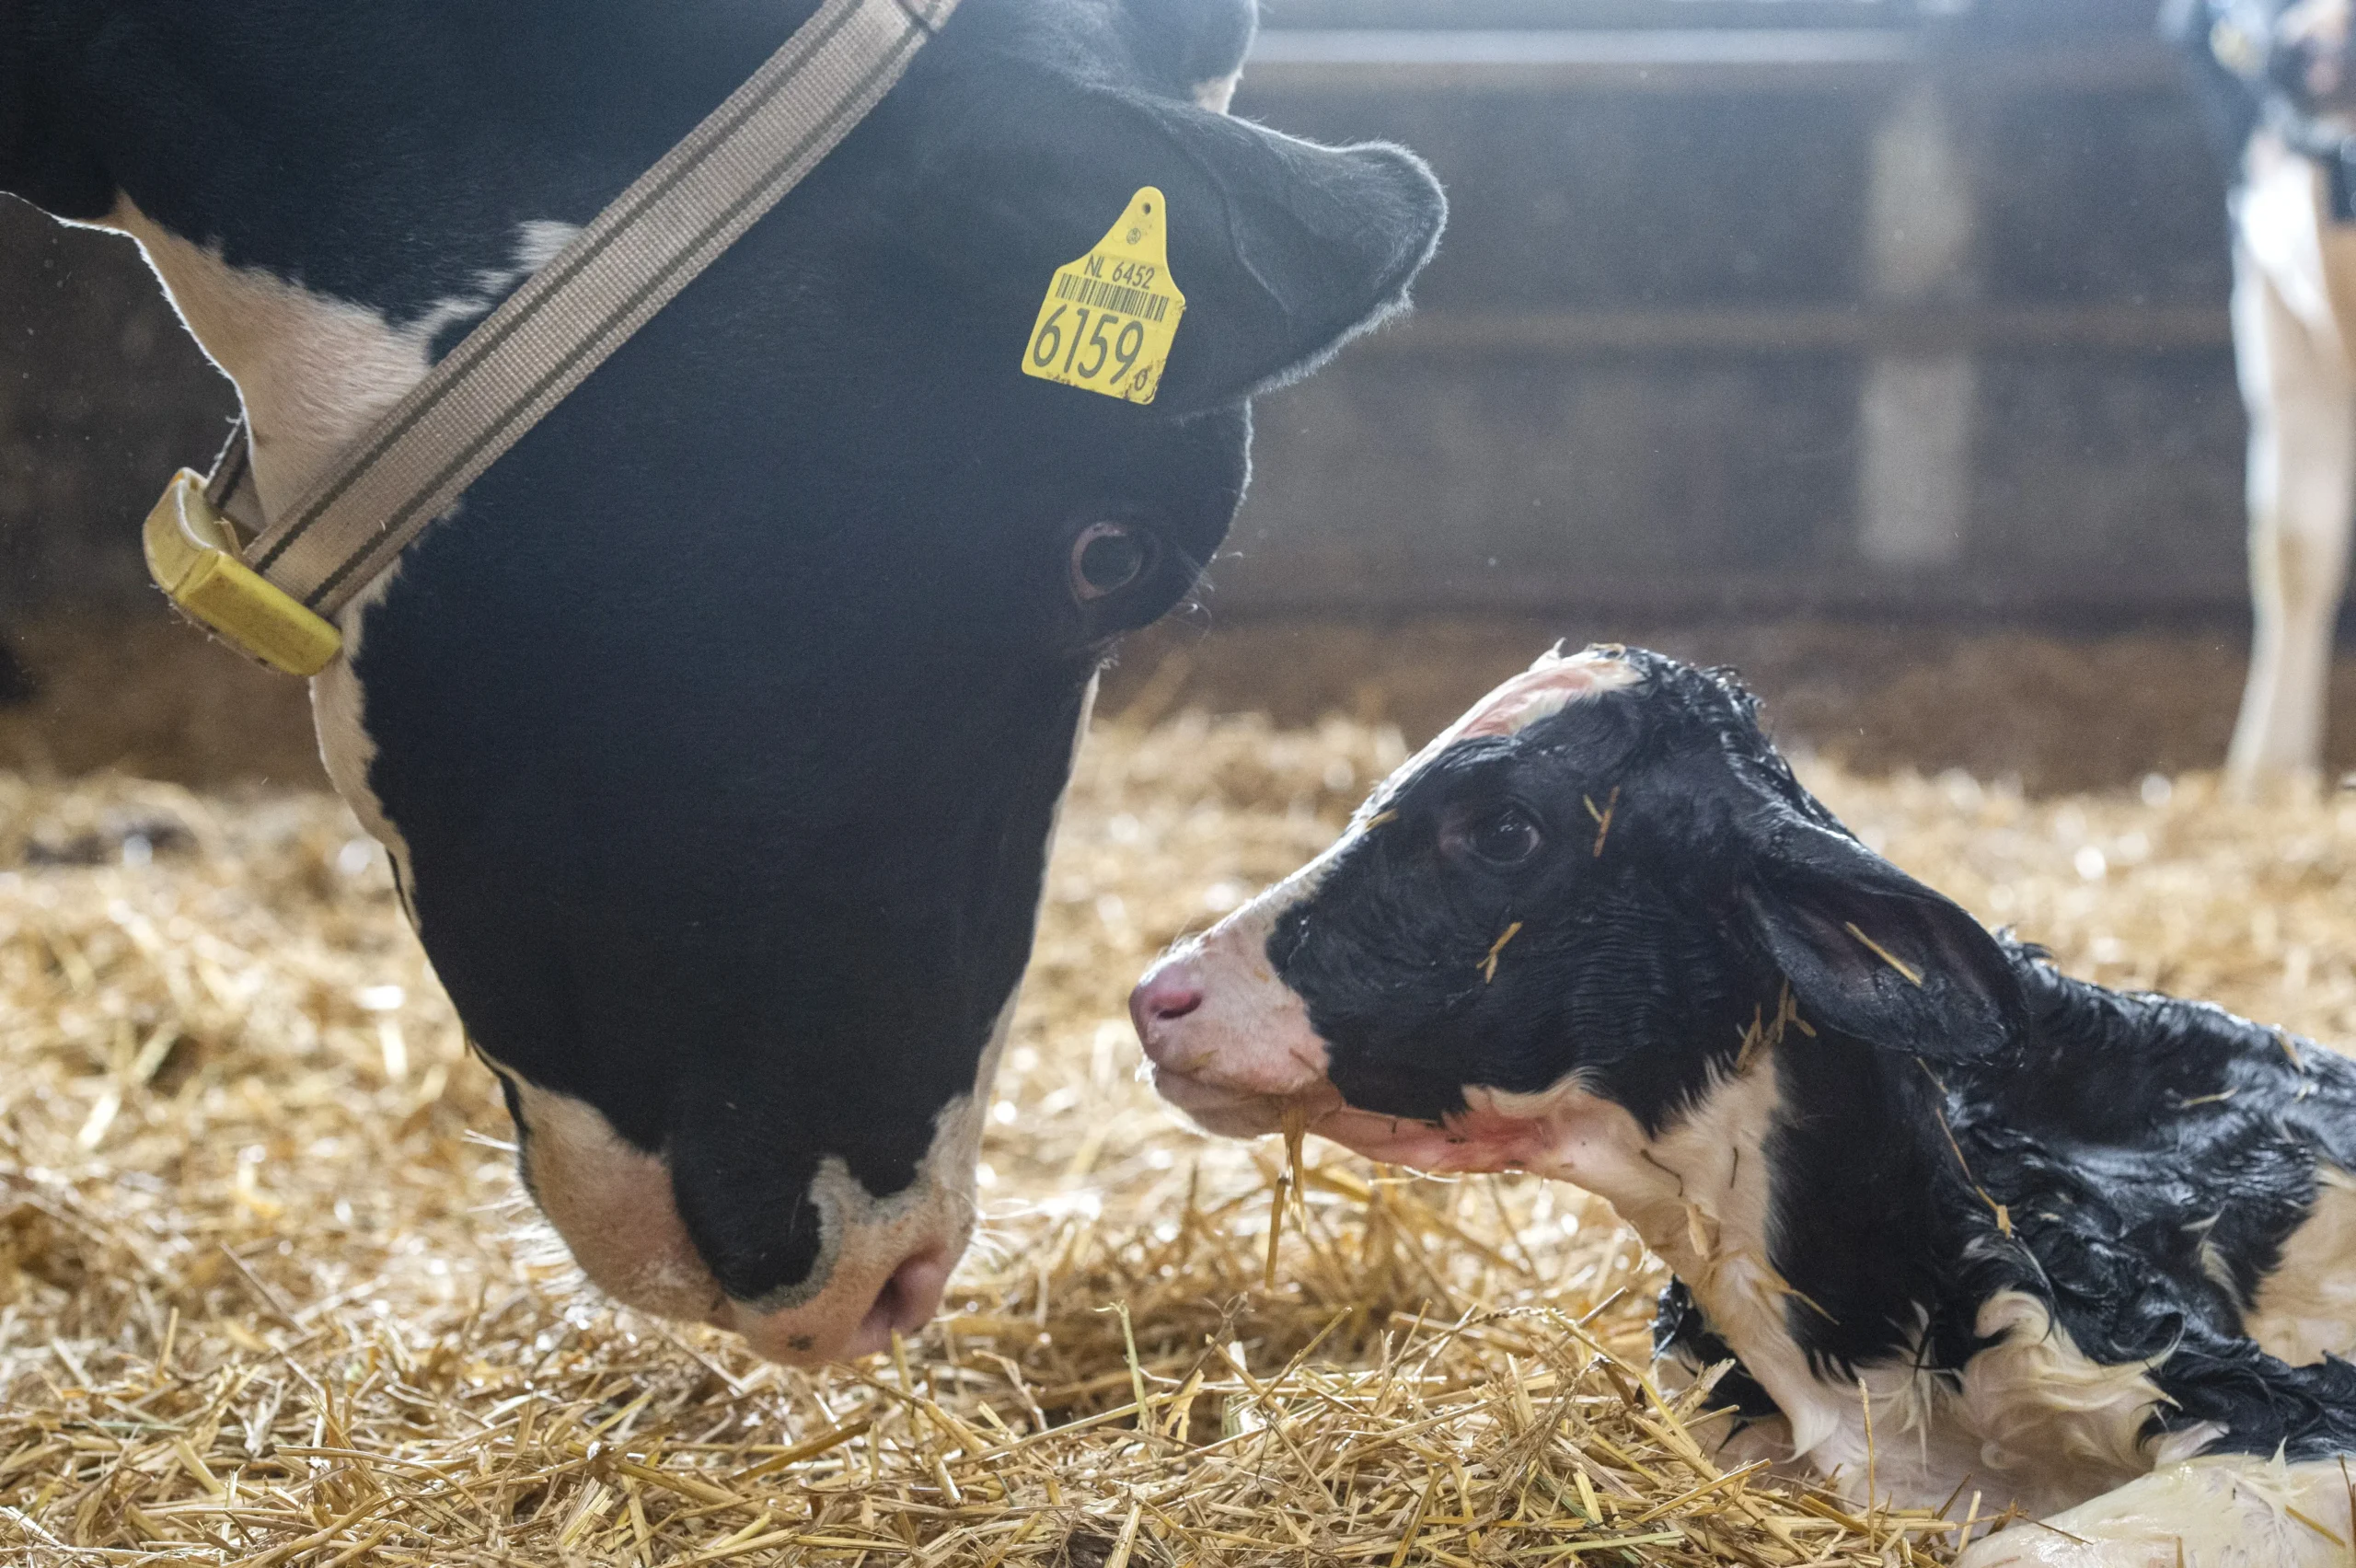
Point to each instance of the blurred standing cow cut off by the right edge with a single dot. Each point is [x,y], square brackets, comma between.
[2282,93]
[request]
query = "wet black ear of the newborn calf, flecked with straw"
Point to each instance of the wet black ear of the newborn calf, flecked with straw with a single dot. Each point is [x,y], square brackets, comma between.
[1874,952]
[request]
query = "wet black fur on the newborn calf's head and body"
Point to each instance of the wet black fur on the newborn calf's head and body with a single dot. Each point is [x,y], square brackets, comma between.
[2138,1162]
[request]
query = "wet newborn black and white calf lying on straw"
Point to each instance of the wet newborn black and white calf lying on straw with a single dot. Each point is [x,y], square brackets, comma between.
[2091,1256]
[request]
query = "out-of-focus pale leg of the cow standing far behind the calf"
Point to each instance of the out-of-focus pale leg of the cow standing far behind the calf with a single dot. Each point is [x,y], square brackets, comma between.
[2303,458]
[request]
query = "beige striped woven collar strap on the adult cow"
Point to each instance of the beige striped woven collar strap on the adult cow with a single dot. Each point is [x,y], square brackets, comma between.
[545,340]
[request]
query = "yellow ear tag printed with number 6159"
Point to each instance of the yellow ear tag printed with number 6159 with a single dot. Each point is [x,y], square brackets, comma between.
[1111,319]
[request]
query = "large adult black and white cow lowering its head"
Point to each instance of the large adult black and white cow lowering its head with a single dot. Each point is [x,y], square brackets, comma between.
[720,733]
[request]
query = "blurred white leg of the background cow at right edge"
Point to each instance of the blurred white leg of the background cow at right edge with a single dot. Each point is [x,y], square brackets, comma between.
[2303,493]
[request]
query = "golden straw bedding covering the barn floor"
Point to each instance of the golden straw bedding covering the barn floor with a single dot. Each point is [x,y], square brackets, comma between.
[267,1296]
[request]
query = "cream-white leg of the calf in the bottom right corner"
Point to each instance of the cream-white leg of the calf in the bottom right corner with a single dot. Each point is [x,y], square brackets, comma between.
[2225,1513]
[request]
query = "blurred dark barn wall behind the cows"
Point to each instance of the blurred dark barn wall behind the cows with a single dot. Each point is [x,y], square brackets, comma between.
[1855,312]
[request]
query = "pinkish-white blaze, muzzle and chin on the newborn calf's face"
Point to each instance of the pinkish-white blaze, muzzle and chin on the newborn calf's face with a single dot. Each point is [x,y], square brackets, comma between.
[1233,1047]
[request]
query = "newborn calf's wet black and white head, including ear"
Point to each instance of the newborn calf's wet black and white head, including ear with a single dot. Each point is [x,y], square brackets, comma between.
[1563,922]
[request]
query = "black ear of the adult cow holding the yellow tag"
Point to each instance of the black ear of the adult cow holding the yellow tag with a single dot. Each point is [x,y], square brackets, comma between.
[1283,248]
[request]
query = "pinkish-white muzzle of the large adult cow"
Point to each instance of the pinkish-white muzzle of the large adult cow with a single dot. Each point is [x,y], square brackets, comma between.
[618,1218]
